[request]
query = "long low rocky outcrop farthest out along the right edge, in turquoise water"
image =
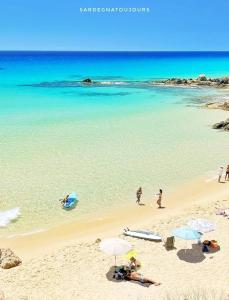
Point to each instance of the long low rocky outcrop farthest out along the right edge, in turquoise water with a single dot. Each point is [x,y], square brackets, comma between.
[201,80]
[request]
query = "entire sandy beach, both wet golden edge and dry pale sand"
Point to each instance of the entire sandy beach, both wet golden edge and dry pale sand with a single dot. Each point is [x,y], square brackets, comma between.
[66,263]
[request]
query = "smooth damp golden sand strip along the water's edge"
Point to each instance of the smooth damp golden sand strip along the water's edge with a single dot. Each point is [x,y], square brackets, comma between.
[113,222]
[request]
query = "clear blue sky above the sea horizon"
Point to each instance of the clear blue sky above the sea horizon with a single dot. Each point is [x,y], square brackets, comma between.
[59,25]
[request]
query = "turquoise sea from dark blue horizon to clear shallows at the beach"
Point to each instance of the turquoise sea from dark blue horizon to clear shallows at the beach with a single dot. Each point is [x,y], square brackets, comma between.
[57,136]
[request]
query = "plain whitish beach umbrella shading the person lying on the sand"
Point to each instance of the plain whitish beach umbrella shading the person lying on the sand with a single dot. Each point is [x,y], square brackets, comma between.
[115,246]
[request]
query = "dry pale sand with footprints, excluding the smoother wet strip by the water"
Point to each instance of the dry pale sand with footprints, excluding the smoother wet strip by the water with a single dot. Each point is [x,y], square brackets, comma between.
[77,270]
